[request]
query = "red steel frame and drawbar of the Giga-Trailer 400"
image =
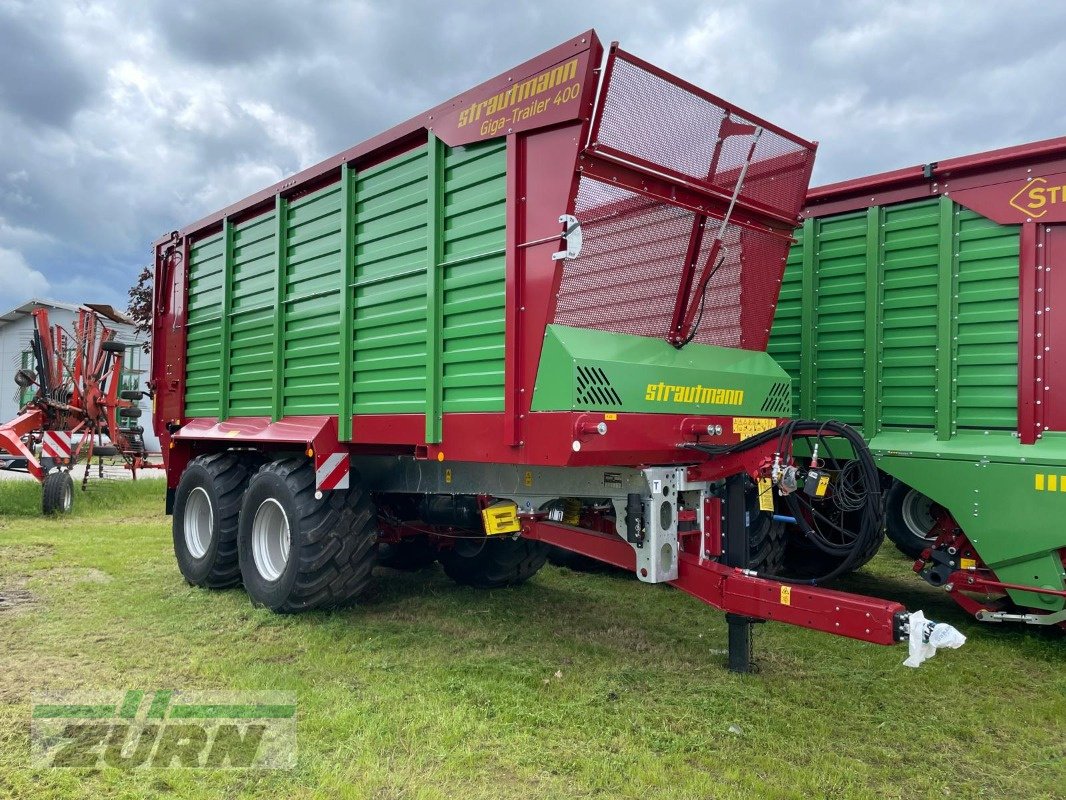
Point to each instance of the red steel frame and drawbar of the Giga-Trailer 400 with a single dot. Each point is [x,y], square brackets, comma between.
[544,169]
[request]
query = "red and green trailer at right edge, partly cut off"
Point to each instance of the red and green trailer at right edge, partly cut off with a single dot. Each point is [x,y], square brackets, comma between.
[922,308]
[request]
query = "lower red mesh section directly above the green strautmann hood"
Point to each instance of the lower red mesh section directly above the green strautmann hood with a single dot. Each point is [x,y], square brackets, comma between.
[626,279]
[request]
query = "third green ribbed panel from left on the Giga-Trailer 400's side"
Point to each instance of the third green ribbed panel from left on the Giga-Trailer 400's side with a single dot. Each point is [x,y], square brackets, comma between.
[312,330]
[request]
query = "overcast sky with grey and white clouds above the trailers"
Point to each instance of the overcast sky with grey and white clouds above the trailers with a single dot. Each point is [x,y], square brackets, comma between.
[120,122]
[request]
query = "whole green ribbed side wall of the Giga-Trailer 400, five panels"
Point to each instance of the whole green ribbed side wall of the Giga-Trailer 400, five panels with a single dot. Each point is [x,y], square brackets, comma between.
[389,295]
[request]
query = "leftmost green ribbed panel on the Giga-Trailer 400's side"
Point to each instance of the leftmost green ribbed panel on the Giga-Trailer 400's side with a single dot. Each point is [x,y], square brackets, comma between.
[204,334]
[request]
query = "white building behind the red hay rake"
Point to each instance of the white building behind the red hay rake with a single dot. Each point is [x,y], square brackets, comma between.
[17,332]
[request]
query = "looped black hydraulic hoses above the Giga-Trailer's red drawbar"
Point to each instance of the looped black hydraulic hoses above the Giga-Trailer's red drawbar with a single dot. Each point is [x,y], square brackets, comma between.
[873,519]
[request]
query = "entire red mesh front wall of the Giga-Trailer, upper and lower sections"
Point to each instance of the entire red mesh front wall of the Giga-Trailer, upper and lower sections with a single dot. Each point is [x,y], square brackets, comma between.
[627,277]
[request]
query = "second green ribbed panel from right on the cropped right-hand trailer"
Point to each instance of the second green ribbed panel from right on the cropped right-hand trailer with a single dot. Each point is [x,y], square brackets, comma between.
[911,259]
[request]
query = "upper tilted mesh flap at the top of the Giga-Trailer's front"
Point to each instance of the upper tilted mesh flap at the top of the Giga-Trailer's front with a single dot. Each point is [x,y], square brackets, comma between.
[649,117]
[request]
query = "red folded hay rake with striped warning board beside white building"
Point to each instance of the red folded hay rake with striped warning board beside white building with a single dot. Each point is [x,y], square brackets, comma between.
[78,411]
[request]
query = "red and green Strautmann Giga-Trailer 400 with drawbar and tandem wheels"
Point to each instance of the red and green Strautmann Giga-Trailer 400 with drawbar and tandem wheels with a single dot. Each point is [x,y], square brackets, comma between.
[536,315]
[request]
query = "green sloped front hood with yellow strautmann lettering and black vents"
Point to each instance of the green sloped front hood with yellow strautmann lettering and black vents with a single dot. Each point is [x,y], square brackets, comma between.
[594,371]
